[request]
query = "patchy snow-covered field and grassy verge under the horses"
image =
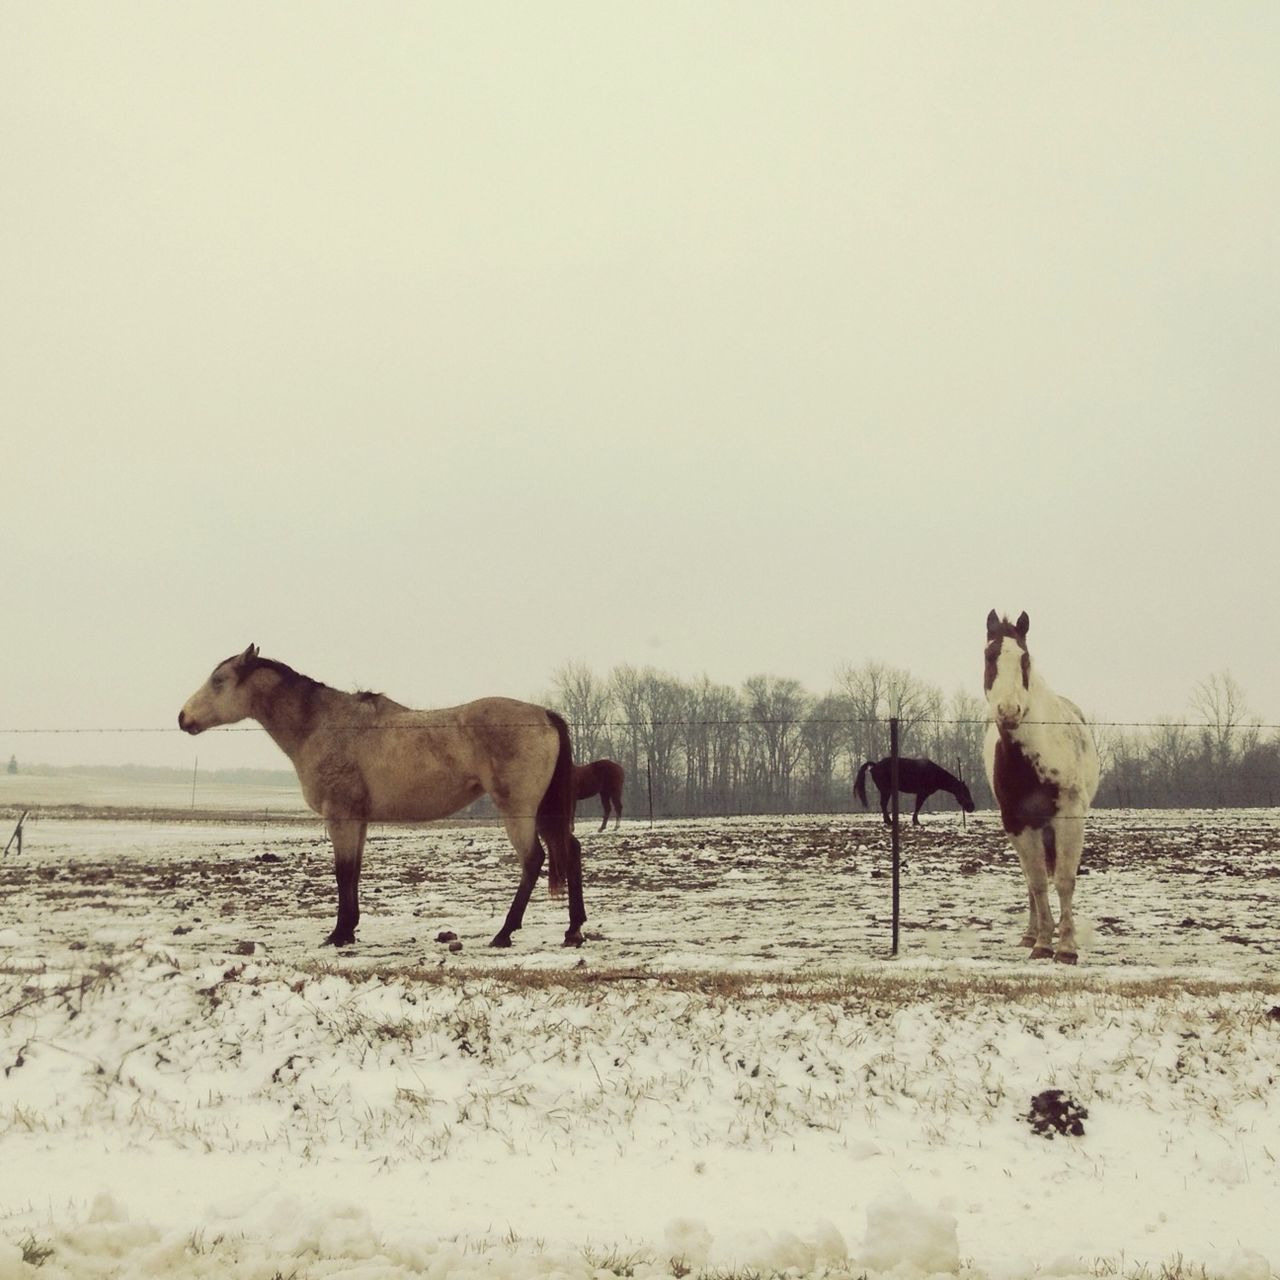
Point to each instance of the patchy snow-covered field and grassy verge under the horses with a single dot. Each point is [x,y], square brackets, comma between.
[730,1078]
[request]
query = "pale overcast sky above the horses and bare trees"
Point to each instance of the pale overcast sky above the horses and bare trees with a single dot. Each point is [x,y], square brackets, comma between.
[432,348]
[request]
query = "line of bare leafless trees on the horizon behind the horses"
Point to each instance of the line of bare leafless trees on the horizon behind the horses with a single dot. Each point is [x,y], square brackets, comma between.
[701,748]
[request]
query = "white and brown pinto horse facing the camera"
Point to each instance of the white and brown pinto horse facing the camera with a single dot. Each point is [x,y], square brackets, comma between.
[1044,771]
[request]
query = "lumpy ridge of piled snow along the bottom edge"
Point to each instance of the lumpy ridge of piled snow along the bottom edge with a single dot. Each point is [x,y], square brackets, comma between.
[284,1237]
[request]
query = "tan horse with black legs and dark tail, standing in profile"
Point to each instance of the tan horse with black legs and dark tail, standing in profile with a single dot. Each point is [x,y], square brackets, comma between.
[364,758]
